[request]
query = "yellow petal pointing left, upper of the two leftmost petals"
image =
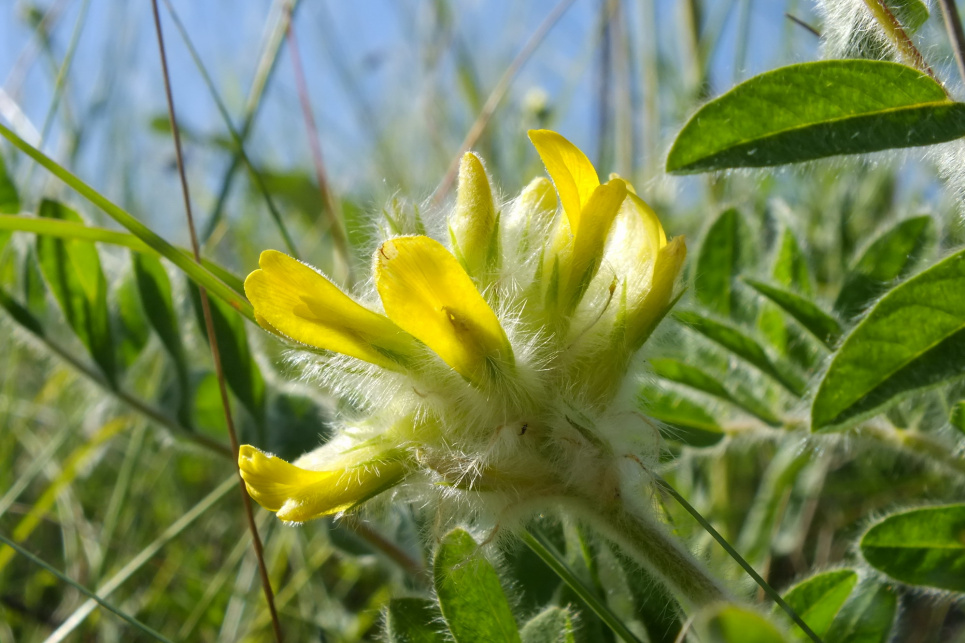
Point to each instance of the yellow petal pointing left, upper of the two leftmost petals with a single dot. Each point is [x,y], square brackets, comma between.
[293,299]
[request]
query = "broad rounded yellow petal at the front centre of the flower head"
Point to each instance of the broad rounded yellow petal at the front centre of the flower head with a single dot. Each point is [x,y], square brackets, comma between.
[427,293]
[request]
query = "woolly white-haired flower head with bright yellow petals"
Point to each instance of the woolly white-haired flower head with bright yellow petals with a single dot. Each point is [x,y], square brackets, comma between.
[489,373]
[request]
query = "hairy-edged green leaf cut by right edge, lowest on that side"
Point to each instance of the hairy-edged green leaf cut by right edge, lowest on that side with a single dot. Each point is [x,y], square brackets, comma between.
[924,546]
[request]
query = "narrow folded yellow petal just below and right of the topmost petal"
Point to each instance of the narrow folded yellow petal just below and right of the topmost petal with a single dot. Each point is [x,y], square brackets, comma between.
[588,241]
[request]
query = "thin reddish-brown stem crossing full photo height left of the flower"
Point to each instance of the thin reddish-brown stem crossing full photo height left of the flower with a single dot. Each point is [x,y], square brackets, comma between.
[209,328]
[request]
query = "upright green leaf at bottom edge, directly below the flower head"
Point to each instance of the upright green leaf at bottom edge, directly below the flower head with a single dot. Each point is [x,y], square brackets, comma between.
[472,600]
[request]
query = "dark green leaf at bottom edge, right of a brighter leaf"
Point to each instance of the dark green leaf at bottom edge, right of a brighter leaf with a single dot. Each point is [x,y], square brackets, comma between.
[867,617]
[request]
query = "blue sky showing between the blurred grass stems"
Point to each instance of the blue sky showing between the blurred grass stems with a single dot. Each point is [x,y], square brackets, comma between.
[384,47]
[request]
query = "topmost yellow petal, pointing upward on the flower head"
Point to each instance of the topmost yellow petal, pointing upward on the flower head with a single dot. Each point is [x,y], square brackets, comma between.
[572,173]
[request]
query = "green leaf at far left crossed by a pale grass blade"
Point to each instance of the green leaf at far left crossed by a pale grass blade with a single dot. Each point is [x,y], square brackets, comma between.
[73,272]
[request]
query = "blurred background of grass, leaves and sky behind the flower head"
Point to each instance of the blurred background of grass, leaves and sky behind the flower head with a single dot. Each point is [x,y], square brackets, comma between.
[113,464]
